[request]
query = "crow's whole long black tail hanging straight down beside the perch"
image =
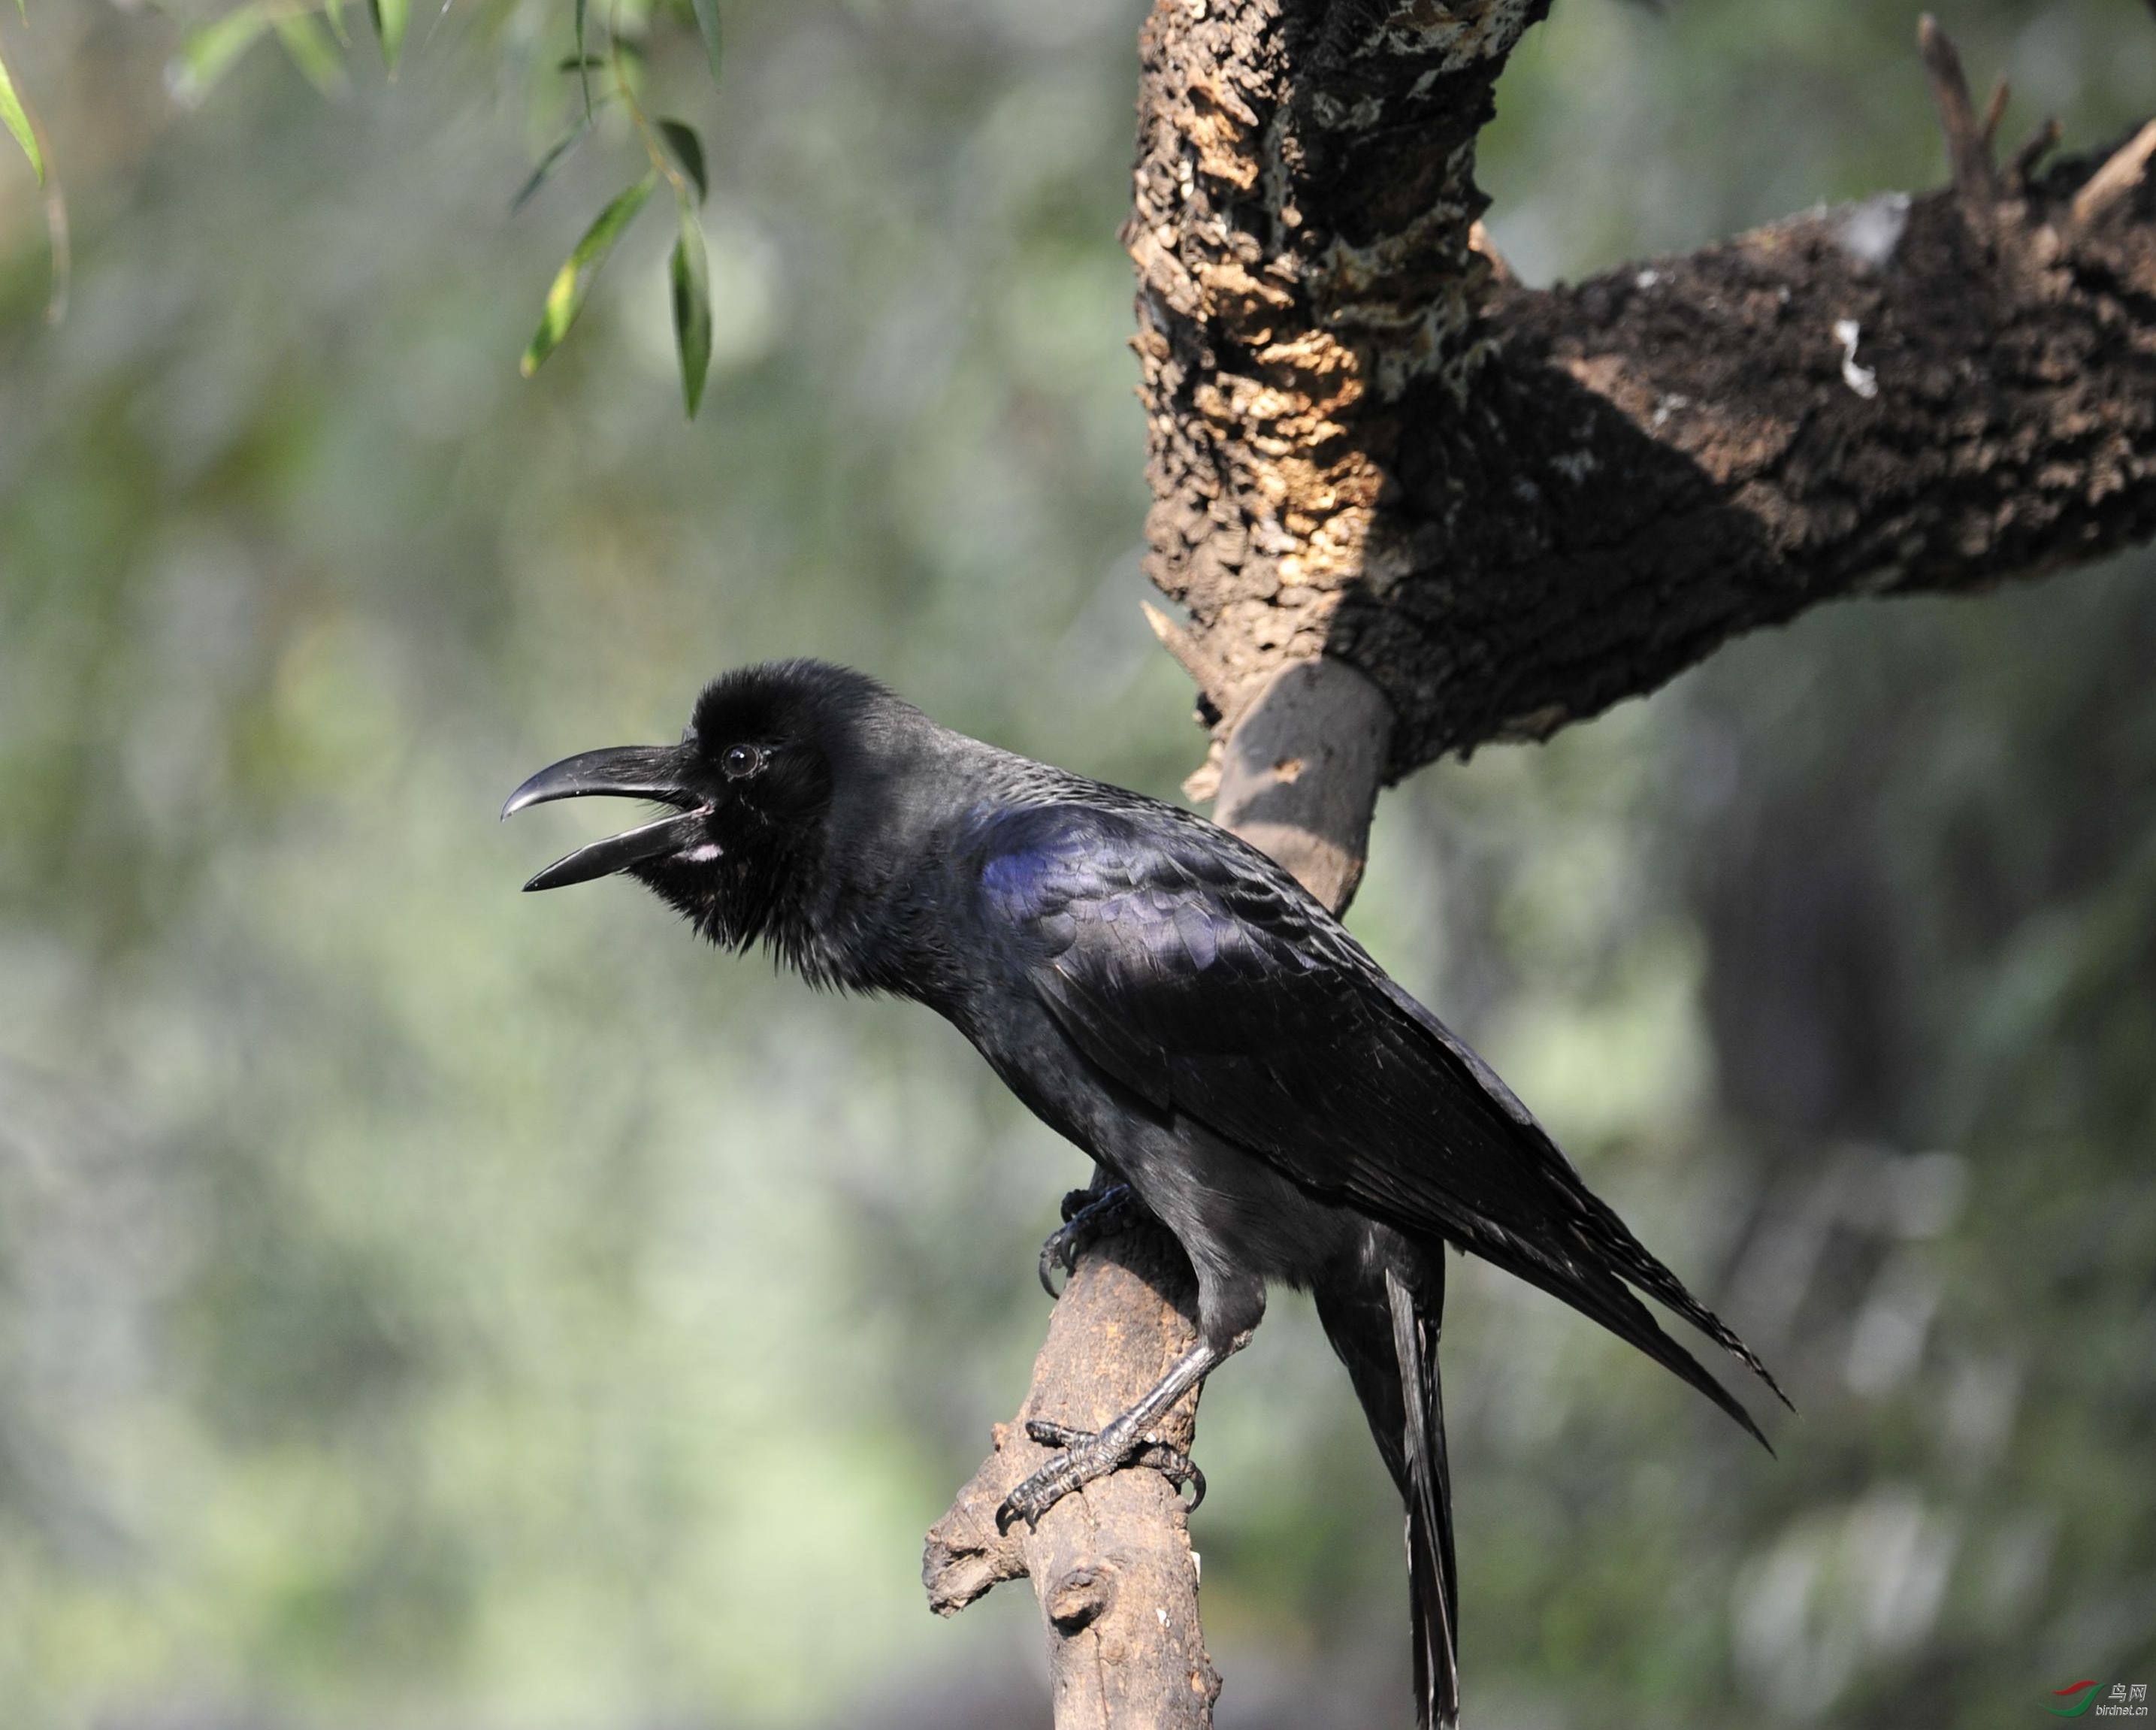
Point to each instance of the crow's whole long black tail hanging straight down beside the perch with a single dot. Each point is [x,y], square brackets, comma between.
[1390,1343]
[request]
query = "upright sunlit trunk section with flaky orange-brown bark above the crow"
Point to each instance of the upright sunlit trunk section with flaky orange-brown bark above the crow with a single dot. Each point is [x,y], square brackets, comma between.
[1303,217]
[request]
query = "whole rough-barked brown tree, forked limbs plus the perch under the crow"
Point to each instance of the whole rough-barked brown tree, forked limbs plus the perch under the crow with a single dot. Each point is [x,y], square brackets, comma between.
[1411,506]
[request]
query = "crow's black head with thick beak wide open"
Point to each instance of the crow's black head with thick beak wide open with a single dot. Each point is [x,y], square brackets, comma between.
[749,793]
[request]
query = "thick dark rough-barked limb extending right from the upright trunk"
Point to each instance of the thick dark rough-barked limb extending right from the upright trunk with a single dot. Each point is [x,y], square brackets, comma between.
[1881,400]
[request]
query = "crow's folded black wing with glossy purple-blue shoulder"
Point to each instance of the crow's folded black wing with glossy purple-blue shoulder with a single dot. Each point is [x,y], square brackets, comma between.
[1206,980]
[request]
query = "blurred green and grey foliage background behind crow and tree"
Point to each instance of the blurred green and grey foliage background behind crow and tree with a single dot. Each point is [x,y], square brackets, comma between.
[426,1306]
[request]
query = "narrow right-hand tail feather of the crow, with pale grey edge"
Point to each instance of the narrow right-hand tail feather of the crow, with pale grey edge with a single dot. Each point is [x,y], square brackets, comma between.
[1428,1492]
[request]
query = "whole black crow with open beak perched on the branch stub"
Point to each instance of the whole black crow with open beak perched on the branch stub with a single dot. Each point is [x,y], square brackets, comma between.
[1176,1004]
